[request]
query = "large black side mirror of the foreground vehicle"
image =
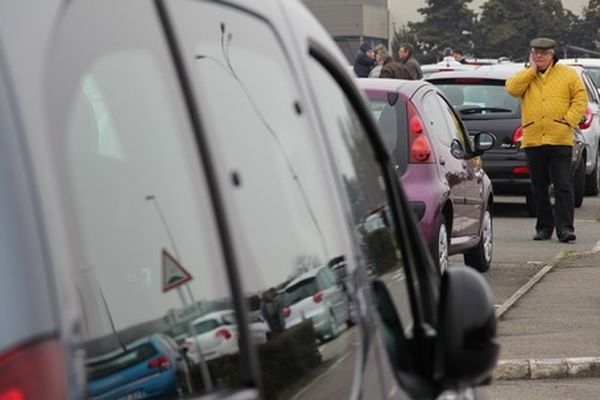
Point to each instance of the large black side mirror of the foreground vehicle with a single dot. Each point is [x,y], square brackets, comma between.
[466,347]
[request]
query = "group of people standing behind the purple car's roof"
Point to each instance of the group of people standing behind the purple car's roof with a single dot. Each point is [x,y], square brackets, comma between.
[378,63]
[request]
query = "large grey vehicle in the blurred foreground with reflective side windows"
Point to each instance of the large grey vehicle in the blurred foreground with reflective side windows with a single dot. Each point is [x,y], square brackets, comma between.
[159,159]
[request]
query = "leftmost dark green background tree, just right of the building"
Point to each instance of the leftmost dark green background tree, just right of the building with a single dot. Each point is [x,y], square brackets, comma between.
[444,25]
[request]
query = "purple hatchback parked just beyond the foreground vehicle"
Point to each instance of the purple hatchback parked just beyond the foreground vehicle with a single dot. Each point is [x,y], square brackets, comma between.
[439,167]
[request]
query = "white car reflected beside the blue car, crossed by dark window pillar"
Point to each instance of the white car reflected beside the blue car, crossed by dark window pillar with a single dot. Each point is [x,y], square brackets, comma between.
[217,335]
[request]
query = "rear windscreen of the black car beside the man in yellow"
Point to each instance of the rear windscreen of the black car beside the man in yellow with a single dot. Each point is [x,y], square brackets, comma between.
[473,99]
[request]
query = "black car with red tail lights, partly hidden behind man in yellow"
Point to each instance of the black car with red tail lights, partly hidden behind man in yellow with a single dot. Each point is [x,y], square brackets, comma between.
[483,103]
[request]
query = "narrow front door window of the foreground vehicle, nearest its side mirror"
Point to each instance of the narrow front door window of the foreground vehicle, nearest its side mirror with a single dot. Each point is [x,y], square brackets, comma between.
[365,191]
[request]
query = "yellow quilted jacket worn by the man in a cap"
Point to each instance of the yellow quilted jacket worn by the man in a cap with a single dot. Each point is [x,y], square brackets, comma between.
[552,104]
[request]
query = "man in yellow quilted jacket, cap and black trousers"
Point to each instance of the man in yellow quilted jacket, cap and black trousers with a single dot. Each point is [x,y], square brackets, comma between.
[553,100]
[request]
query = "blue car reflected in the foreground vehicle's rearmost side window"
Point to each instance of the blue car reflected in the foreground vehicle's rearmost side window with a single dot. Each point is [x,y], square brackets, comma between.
[149,368]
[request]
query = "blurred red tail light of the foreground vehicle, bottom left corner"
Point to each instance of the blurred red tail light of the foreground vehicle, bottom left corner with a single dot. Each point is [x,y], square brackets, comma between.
[33,372]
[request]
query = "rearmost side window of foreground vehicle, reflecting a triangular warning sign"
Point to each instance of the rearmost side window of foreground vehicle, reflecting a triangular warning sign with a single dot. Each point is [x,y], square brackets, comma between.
[146,257]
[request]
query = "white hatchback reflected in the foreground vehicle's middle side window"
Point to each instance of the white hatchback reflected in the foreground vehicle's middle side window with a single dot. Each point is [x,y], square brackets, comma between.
[317,295]
